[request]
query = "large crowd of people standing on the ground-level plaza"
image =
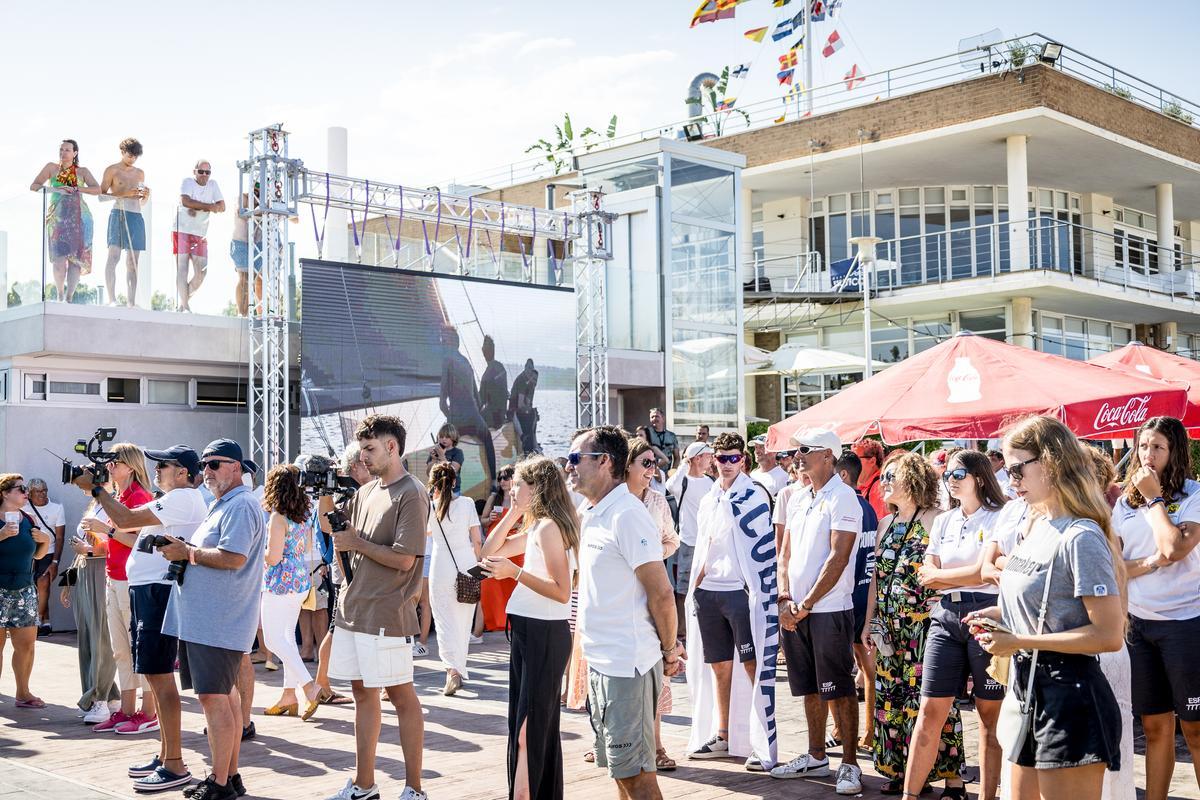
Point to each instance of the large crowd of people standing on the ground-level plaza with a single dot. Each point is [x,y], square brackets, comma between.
[1023,585]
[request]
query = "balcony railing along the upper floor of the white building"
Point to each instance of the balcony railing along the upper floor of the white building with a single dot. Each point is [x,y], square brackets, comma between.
[1131,262]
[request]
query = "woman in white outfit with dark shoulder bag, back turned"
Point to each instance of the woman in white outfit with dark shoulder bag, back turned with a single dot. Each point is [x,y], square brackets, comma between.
[455,539]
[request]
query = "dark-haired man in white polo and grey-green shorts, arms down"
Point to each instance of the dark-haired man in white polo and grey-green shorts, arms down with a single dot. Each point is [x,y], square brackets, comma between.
[627,623]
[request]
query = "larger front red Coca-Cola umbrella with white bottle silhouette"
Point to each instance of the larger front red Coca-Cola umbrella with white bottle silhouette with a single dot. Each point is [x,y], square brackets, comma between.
[974,388]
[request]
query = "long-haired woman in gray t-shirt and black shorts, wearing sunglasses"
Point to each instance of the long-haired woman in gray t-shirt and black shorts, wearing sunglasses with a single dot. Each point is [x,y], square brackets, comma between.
[1076,726]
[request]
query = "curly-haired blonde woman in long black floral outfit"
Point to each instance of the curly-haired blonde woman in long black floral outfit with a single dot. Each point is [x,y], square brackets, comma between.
[898,616]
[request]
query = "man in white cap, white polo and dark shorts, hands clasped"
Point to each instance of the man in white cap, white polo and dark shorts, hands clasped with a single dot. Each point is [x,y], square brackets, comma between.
[817,606]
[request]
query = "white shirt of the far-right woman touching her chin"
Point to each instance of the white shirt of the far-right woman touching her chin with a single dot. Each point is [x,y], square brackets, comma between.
[1171,593]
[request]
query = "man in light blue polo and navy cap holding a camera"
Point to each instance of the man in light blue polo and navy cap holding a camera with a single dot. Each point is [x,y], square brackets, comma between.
[214,607]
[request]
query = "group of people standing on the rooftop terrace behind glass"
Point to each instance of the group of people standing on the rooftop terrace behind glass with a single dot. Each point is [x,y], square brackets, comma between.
[70,228]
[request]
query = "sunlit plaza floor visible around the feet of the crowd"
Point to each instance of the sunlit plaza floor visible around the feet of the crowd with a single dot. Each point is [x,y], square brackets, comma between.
[465,742]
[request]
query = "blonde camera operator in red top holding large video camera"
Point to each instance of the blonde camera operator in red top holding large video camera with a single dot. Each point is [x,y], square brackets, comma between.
[125,466]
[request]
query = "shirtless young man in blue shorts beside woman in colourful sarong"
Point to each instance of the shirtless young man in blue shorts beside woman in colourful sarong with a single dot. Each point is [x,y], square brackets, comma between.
[127,227]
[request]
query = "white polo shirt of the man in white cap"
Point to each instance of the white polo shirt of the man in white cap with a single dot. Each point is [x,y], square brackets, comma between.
[812,520]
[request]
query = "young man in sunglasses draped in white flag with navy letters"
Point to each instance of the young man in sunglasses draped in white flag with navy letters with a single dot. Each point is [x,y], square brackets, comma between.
[730,616]
